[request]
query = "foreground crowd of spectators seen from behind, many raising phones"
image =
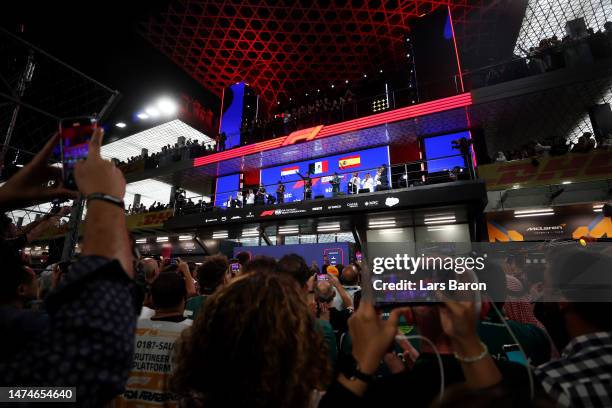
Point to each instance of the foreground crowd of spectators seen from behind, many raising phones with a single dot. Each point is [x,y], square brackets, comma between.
[127,331]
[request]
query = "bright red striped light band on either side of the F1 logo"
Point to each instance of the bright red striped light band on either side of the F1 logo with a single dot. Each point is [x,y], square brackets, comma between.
[396,115]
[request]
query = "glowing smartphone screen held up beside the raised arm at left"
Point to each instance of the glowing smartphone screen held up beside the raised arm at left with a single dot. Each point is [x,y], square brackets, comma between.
[75,135]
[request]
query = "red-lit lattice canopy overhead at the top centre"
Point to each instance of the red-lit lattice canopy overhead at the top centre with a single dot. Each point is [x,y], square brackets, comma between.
[282,47]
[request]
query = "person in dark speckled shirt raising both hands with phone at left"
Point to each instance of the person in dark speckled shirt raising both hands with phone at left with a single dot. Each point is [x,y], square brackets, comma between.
[88,342]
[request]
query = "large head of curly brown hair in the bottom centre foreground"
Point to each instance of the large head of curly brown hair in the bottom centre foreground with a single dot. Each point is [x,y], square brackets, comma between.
[257,339]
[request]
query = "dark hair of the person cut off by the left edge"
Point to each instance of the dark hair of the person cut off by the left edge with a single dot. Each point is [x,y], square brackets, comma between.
[13,273]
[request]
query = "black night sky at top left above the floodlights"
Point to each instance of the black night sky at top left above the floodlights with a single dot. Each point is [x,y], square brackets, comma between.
[121,58]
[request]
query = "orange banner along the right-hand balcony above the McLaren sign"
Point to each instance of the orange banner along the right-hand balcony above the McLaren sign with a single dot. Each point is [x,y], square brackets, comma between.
[596,165]
